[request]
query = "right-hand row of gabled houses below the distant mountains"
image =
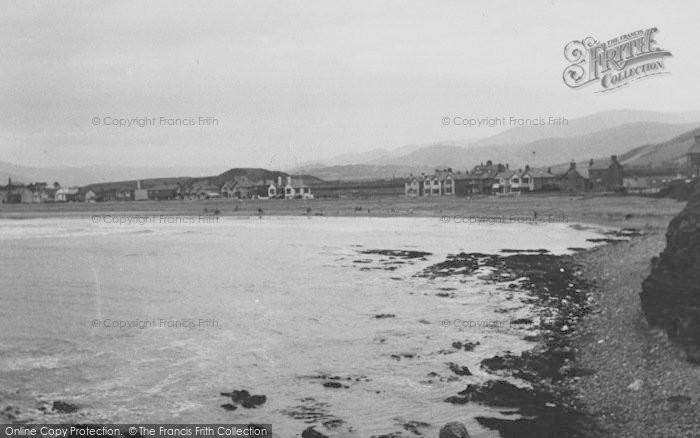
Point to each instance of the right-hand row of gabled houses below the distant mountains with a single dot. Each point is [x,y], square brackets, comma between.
[490,178]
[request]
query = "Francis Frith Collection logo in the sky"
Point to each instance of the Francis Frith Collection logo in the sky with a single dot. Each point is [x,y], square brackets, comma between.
[614,63]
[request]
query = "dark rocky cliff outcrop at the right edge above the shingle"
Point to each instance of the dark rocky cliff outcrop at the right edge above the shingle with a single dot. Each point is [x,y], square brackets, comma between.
[671,294]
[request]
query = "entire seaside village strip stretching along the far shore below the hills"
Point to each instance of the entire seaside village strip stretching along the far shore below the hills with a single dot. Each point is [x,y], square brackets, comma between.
[496,179]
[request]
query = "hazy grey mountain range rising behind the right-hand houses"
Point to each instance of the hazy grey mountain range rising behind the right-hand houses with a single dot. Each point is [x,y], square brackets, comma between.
[598,135]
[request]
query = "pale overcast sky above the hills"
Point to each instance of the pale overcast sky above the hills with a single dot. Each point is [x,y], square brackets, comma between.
[288,82]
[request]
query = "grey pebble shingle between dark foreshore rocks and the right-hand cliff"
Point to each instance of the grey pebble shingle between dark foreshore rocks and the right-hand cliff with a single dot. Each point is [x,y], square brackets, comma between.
[641,384]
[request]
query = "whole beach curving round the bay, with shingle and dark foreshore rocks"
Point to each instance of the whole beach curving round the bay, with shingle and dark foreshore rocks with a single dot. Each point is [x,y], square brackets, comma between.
[598,368]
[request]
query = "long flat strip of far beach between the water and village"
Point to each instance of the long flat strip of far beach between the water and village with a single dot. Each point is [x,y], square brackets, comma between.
[605,210]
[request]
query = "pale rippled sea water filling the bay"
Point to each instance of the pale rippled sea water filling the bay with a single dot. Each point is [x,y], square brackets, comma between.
[151,320]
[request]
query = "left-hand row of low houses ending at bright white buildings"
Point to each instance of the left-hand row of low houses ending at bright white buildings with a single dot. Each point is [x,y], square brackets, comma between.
[239,187]
